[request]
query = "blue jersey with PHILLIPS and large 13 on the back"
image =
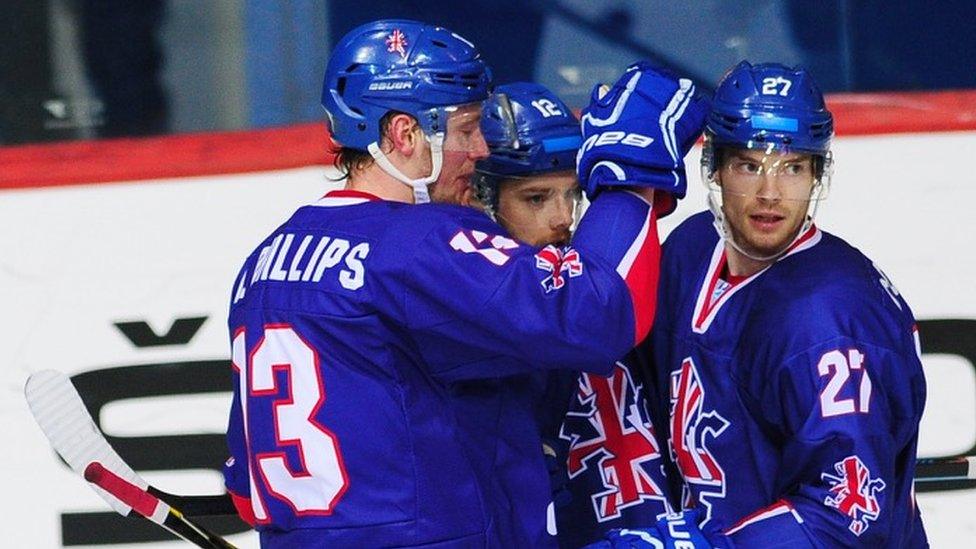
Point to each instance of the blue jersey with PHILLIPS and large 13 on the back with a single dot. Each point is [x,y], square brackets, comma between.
[355,326]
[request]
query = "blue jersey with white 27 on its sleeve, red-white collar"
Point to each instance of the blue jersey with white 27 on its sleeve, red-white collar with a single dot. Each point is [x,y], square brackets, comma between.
[793,397]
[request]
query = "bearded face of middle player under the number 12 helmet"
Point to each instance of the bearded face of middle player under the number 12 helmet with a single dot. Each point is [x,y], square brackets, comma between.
[539,210]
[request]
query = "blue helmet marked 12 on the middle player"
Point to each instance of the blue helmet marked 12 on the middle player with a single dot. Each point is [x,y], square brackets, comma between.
[529,131]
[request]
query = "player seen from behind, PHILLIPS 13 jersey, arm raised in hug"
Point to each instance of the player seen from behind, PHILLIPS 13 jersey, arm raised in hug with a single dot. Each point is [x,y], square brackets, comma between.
[350,322]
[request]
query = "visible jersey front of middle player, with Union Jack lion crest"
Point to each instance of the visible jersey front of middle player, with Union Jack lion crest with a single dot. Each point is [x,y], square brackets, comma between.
[612,467]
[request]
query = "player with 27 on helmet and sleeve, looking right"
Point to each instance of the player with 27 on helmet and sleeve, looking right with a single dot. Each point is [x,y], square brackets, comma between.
[788,363]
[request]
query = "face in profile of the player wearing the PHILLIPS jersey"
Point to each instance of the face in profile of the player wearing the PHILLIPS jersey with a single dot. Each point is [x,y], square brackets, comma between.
[463,146]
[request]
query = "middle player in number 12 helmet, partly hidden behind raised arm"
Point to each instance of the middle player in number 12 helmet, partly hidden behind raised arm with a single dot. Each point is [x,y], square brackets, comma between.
[605,461]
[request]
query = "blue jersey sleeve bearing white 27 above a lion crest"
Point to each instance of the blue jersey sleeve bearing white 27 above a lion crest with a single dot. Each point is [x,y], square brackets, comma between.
[847,412]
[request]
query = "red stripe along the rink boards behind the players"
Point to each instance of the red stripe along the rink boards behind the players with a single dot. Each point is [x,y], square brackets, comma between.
[101,161]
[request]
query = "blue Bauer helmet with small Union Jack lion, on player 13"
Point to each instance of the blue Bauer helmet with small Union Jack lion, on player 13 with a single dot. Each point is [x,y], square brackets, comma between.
[402,66]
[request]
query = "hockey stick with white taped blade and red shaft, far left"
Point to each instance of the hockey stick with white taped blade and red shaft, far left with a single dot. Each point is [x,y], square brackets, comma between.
[66,423]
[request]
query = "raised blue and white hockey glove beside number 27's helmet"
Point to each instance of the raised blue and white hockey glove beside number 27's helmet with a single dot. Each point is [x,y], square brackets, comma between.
[638,132]
